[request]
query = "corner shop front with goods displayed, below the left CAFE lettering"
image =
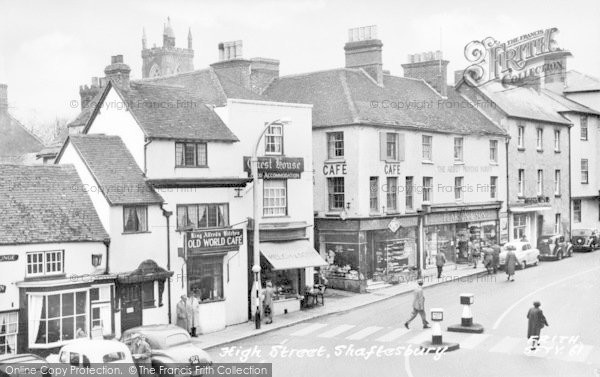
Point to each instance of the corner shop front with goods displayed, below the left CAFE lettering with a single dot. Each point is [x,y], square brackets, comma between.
[365,251]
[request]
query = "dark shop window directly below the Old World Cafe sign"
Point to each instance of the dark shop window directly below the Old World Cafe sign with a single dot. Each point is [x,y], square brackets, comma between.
[205,276]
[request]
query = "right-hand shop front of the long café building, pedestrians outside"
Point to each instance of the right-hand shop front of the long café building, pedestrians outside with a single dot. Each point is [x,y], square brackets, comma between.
[450,229]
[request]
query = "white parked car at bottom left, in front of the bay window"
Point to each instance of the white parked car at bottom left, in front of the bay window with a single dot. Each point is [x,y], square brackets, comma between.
[85,352]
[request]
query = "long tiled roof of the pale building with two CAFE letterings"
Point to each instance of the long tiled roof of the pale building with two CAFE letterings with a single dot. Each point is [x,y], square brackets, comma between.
[348,96]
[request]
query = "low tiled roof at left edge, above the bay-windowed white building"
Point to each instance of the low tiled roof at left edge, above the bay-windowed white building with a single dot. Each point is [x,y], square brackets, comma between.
[41,203]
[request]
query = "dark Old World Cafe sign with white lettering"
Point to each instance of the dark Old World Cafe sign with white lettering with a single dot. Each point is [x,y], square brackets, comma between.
[203,241]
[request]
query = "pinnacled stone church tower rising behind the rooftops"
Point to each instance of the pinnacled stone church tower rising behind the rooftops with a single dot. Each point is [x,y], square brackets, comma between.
[168,59]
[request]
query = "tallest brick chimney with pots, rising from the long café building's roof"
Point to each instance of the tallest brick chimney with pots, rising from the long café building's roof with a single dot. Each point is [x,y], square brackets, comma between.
[364,50]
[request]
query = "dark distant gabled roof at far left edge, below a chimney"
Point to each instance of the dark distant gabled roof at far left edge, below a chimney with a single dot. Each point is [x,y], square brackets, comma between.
[15,140]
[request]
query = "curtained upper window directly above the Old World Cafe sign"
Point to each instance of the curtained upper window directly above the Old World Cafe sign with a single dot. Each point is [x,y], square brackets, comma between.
[200,216]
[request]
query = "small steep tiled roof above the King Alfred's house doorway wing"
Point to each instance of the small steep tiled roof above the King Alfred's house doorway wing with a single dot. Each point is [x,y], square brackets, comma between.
[114,168]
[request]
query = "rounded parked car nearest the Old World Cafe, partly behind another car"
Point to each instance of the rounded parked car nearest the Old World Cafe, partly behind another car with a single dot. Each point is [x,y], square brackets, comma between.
[171,346]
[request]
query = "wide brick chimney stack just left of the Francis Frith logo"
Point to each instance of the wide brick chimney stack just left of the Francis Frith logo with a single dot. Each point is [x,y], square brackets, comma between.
[431,67]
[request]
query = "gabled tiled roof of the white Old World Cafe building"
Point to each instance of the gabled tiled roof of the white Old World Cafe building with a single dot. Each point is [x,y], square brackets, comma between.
[168,112]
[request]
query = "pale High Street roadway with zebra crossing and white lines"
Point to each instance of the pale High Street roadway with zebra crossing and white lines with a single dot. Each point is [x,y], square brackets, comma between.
[346,344]
